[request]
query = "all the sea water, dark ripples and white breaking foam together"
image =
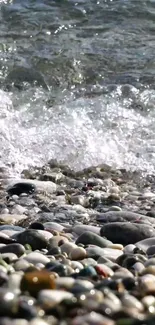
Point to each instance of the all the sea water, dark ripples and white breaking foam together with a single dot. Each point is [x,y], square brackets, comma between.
[97,60]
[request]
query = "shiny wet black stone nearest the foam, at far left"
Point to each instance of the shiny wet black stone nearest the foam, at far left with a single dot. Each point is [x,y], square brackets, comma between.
[20,188]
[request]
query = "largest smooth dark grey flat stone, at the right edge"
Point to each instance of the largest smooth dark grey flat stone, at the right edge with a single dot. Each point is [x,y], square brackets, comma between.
[126,233]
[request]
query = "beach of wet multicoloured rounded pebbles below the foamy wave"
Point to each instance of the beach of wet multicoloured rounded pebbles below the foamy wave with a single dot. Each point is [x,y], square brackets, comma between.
[77,248]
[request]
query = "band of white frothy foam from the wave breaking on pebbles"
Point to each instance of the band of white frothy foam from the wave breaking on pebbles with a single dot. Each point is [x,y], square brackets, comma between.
[81,132]
